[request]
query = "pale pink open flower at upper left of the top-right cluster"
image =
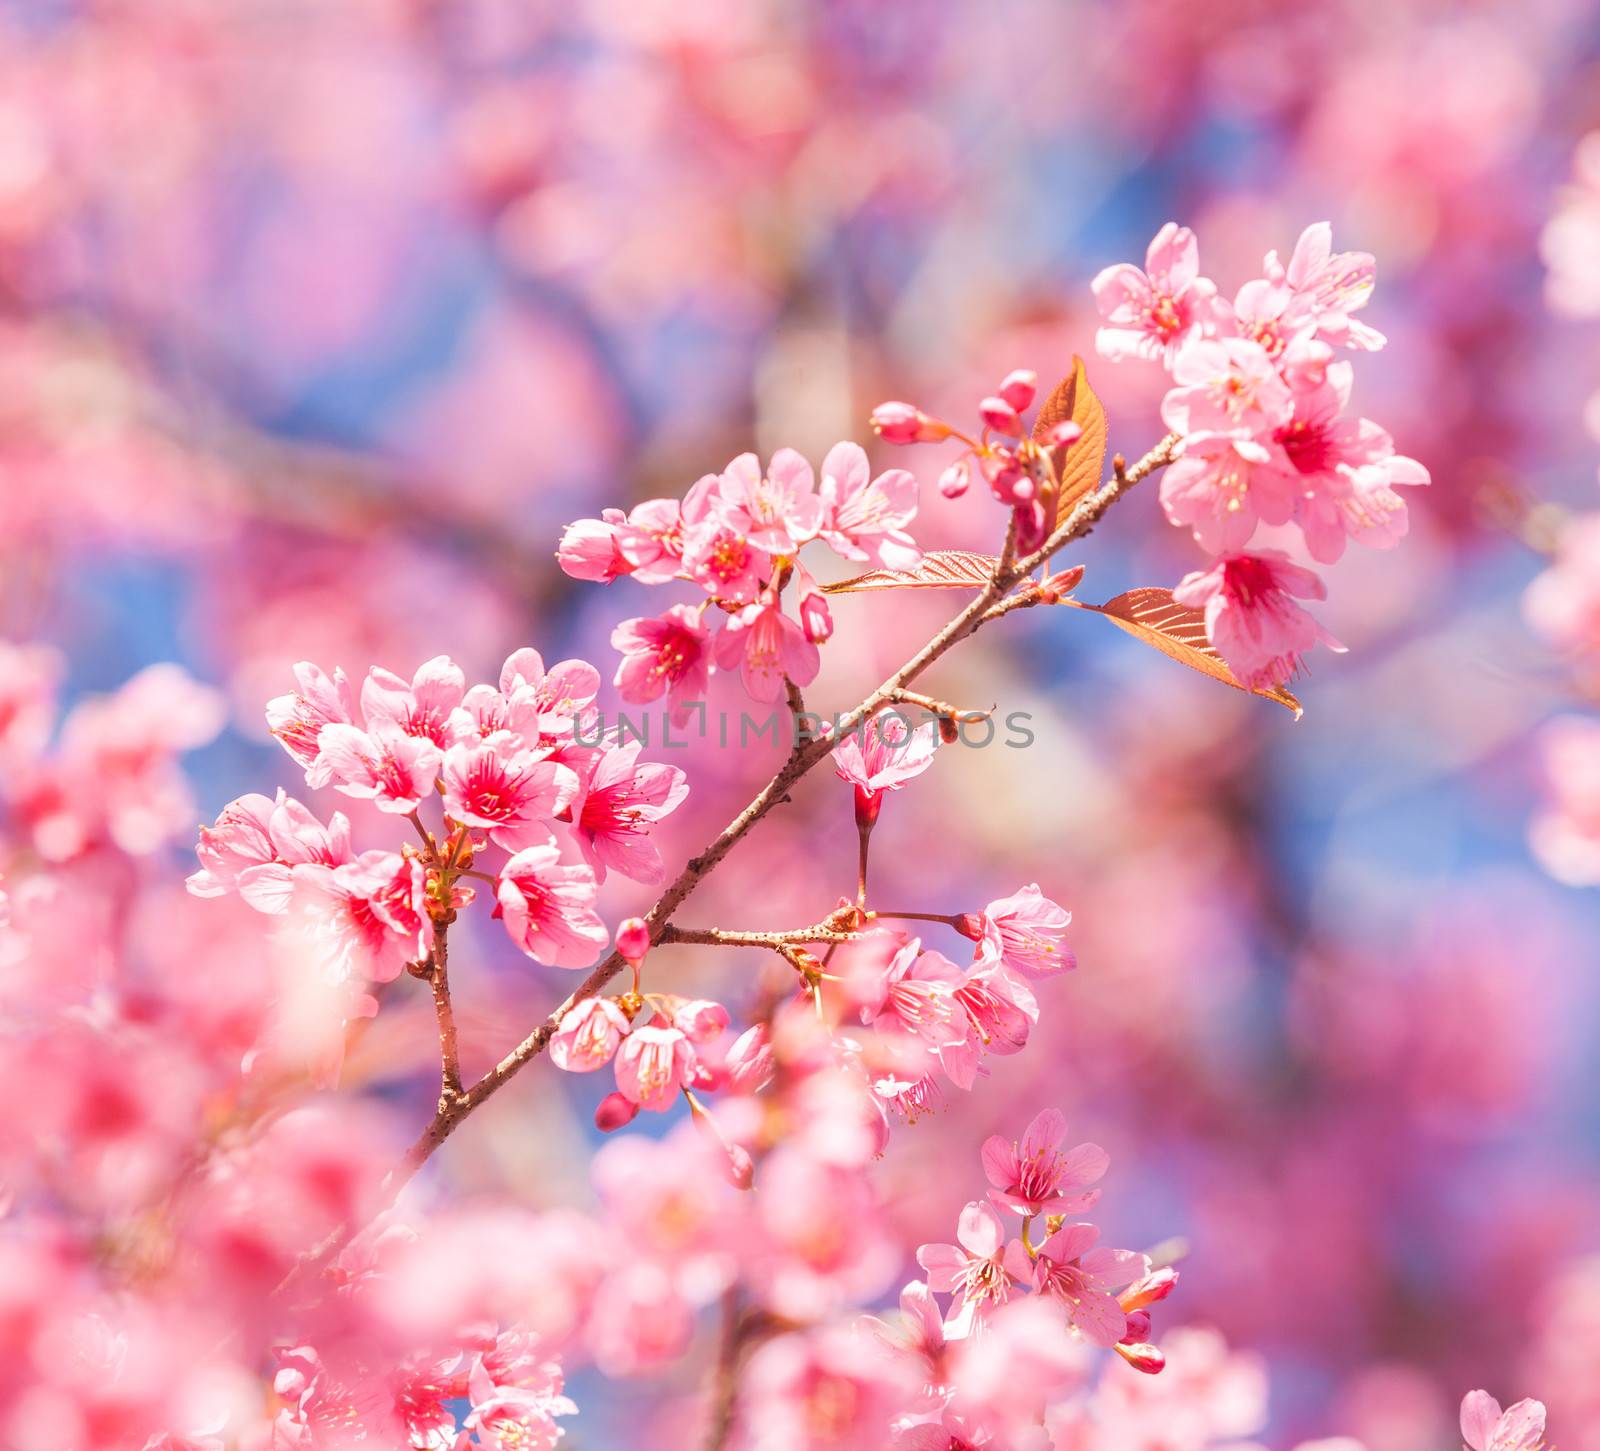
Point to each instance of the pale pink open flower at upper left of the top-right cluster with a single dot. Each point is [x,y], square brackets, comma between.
[1156,311]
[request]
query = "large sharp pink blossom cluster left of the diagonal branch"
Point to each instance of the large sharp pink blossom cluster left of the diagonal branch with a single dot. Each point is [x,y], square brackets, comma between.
[510,769]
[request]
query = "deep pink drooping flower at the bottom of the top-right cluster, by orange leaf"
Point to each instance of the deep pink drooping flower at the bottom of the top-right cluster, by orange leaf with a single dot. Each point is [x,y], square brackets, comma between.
[1252,618]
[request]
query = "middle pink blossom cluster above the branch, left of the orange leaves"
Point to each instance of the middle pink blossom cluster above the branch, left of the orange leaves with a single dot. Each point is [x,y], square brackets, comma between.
[738,537]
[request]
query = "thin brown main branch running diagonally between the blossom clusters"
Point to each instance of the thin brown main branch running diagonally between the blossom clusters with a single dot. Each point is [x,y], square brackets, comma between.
[802,757]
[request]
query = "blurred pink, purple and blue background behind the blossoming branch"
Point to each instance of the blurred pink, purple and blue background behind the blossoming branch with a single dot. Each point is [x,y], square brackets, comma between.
[318,322]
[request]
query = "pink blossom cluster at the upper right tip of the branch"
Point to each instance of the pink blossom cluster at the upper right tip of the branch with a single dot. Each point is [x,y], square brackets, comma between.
[1260,407]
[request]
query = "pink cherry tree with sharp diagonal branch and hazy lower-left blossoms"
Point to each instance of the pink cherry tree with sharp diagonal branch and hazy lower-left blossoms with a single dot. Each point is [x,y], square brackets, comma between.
[217,1245]
